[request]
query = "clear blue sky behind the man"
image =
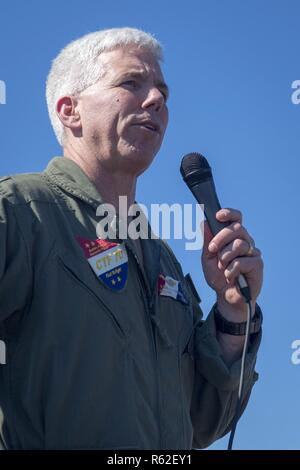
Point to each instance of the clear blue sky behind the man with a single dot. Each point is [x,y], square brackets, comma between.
[230,65]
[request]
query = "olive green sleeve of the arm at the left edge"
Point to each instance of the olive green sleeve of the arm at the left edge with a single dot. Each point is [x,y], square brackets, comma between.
[15,273]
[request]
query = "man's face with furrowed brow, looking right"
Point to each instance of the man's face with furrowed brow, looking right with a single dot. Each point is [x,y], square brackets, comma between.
[124,115]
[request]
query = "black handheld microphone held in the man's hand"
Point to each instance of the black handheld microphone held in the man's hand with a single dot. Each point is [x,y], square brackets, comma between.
[197,174]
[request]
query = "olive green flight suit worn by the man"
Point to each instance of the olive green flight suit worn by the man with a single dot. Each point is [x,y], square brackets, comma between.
[89,366]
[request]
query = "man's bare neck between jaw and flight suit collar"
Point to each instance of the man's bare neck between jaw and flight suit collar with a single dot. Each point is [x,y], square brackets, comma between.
[110,182]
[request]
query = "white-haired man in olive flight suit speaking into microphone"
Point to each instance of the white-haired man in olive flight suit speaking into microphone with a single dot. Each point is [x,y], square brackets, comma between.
[105,346]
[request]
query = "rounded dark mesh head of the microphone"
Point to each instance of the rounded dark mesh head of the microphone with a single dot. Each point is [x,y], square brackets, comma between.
[195,169]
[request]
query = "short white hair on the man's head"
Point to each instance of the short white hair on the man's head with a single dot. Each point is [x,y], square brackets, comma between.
[77,66]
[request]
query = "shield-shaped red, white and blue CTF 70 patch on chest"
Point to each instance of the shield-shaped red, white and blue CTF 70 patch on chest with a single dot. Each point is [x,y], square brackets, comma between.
[108,260]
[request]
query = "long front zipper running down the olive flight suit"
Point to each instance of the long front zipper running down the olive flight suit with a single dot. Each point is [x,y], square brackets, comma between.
[149,305]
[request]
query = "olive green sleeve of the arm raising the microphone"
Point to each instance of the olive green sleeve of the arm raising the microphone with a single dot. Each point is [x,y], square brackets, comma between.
[216,385]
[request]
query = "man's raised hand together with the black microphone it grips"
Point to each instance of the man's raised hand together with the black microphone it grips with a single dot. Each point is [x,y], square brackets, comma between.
[232,265]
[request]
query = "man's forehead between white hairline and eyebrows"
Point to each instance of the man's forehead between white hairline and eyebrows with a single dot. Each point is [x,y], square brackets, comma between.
[127,59]
